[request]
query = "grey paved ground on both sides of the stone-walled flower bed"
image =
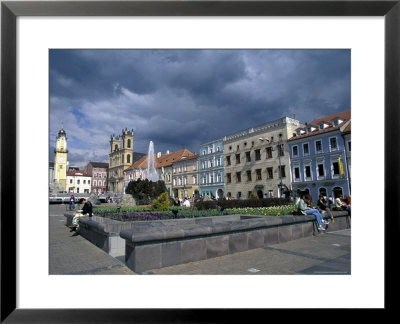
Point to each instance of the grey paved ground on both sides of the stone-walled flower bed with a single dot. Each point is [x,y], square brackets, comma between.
[327,253]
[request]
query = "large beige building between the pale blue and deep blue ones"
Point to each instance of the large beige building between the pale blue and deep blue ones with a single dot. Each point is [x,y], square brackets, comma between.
[257,160]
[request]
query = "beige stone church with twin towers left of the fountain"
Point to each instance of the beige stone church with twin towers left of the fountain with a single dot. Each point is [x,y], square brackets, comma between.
[121,158]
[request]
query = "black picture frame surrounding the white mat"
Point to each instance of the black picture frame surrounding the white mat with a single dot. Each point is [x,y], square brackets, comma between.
[10,10]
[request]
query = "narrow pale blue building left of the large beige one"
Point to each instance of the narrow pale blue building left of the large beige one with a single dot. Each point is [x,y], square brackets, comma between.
[211,169]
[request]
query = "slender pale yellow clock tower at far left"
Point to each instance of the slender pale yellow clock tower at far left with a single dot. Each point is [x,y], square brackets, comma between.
[60,162]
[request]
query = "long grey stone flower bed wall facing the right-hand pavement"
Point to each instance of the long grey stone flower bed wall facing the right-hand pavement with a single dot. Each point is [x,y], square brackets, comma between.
[167,243]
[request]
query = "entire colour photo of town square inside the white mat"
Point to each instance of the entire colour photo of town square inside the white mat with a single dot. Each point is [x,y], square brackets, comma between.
[179,184]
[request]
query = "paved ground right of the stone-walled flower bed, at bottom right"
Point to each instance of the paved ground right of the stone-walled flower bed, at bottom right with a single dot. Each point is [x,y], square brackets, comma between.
[328,253]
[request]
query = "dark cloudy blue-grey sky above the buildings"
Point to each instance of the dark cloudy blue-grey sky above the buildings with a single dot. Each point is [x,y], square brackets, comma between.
[183,98]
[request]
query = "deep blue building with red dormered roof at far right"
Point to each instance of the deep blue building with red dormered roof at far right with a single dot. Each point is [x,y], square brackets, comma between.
[319,157]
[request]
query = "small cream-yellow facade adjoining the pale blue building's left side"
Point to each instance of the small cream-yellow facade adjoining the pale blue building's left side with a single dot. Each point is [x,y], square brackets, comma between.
[185,177]
